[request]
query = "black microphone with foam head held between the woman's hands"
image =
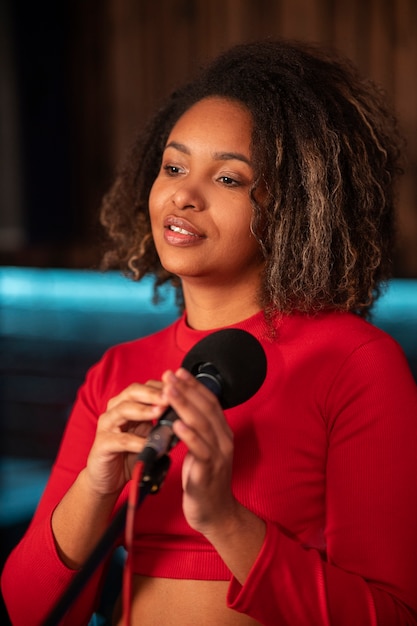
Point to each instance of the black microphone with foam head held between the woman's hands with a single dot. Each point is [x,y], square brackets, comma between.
[238,373]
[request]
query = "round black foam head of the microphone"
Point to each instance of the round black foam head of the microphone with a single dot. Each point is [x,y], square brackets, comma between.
[239,360]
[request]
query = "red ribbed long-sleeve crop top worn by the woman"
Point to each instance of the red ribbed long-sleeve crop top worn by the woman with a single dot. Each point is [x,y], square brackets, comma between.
[325,453]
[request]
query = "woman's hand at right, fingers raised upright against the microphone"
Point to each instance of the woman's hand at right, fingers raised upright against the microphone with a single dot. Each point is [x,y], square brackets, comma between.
[208,501]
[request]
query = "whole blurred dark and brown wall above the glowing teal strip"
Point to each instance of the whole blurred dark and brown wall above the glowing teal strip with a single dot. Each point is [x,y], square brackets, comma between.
[78,77]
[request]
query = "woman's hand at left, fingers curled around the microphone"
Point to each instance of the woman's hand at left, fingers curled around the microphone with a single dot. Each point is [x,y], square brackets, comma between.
[120,435]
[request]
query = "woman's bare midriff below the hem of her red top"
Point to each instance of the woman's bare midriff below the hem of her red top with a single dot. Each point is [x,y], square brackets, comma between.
[172,602]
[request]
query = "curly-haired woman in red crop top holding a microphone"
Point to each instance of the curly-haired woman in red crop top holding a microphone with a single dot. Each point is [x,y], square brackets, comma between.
[264,191]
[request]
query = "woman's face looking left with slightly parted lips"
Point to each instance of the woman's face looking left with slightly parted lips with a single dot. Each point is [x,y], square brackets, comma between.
[199,204]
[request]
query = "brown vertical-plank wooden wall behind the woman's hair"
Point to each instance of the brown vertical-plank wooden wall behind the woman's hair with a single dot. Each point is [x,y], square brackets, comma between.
[148,47]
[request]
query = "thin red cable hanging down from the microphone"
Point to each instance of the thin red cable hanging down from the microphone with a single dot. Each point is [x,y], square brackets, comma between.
[130,519]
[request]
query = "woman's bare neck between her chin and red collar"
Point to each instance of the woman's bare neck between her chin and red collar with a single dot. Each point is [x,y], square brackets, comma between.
[215,308]
